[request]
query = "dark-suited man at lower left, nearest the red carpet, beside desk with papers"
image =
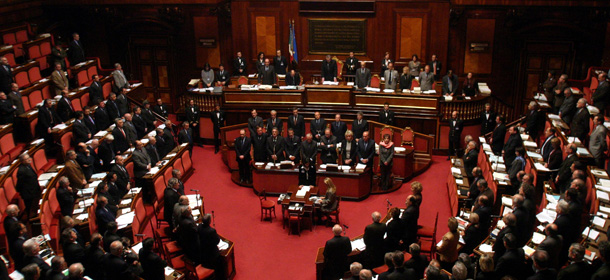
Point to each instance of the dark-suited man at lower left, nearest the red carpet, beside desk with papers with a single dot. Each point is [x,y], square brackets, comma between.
[208,244]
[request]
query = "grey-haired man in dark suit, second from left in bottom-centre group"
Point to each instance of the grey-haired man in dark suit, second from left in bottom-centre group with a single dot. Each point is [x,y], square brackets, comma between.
[373,239]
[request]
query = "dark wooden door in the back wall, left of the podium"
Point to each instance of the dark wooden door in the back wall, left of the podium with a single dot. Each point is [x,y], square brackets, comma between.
[152,60]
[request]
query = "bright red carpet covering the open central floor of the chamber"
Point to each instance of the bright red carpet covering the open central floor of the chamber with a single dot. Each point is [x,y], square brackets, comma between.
[264,249]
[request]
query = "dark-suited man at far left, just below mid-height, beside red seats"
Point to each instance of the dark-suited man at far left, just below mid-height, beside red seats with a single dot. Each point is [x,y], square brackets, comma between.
[27,185]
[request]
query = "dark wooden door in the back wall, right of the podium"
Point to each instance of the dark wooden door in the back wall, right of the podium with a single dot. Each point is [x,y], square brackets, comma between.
[537,59]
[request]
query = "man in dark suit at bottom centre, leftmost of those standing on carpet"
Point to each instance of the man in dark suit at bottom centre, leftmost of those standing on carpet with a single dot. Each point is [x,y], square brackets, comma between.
[335,254]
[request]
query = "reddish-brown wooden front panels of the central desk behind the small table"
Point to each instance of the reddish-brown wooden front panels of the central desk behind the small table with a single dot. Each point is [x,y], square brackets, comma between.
[351,186]
